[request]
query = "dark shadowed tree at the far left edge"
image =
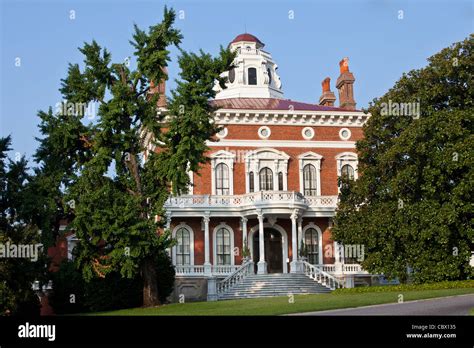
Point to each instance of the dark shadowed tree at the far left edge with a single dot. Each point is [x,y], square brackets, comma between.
[17,274]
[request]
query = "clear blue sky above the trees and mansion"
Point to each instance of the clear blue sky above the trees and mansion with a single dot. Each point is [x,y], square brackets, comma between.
[307,43]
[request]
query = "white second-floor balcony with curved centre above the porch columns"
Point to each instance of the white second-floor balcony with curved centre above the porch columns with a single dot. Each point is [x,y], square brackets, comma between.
[251,201]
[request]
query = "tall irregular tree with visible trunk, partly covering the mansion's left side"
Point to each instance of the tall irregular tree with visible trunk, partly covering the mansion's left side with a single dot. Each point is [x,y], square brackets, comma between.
[114,194]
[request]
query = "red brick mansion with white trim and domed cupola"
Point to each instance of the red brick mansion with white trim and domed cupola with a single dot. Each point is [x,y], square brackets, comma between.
[264,203]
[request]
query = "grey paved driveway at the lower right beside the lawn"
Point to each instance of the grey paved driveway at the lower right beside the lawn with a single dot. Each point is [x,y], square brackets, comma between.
[454,305]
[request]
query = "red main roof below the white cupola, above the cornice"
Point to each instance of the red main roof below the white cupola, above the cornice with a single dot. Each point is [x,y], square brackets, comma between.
[271,104]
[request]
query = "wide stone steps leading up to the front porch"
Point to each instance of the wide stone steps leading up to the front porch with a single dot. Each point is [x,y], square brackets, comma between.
[277,284]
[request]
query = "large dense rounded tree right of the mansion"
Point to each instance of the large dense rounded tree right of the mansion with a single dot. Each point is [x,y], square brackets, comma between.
[412,205]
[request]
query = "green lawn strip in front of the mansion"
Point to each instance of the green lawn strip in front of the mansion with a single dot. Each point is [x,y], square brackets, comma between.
[282,305]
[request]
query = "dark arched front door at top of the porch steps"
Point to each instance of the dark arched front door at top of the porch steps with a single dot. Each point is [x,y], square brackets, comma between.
[273,250]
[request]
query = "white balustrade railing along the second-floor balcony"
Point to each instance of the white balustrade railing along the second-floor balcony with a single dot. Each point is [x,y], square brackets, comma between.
[190,201]
